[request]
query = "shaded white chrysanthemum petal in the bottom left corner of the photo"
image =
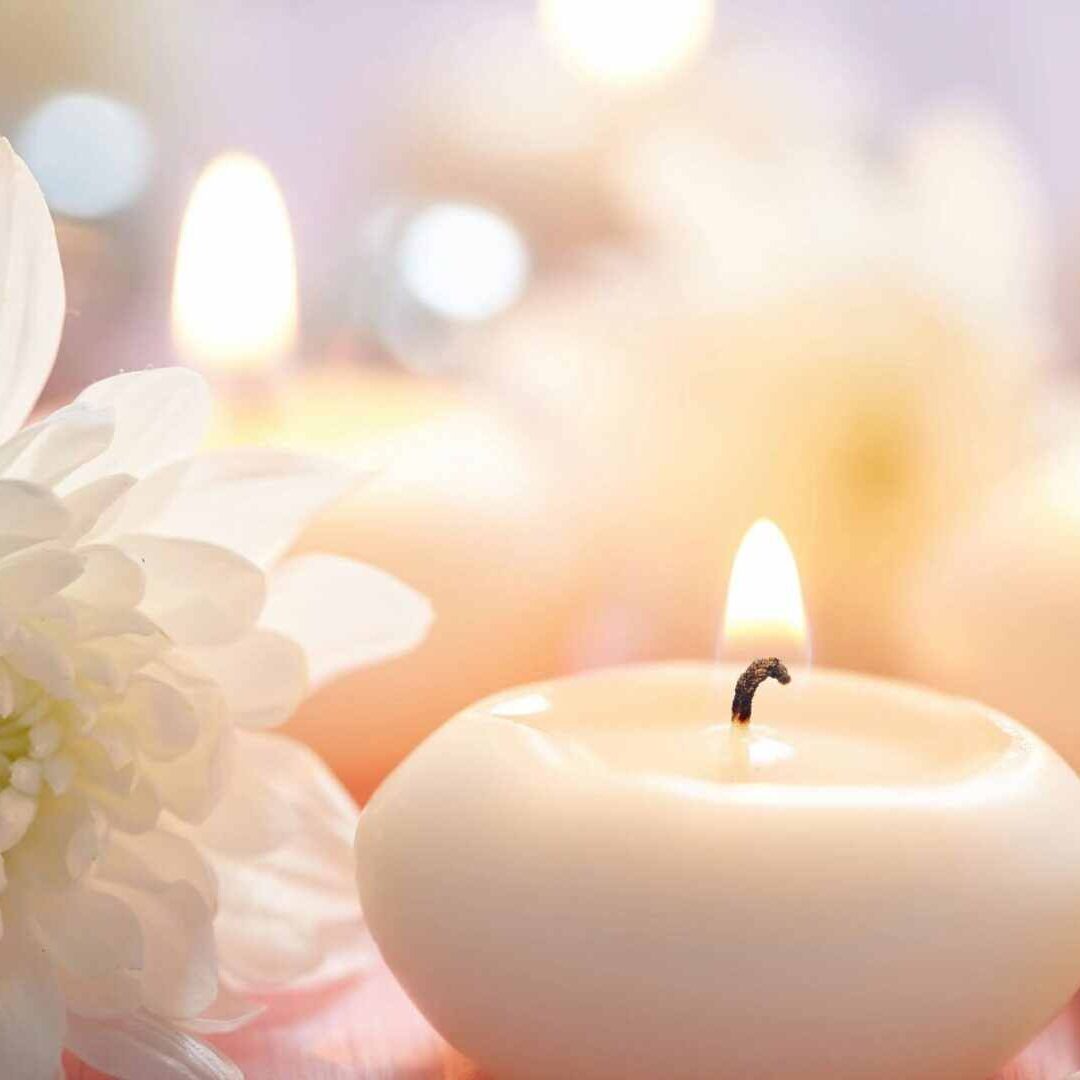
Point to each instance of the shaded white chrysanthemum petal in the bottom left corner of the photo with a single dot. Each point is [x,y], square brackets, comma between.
[32,1010]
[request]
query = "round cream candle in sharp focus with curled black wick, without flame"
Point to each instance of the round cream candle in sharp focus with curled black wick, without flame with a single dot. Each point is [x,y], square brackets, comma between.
[605,877]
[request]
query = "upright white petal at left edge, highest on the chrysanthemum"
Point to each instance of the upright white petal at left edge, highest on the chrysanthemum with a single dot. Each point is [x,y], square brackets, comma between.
[32,292]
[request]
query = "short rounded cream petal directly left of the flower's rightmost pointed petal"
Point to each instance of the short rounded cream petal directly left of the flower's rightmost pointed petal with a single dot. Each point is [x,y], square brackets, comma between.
[198,593]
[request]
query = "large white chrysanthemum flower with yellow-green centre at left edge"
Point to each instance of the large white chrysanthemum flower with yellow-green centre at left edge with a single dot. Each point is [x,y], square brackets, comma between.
[160,852]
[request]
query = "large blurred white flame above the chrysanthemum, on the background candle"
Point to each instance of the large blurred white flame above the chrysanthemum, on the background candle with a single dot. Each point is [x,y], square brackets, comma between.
[235,307]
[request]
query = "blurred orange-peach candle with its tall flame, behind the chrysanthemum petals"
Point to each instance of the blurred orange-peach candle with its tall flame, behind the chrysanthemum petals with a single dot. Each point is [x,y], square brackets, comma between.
[468,507]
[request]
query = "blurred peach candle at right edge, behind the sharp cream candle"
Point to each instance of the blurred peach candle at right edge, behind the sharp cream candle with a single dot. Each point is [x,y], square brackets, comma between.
[1004,593]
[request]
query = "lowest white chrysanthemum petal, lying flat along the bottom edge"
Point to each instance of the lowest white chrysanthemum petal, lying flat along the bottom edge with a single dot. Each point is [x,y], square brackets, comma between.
[142,1048]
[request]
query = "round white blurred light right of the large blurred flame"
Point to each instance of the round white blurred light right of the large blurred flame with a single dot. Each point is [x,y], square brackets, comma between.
[463,262]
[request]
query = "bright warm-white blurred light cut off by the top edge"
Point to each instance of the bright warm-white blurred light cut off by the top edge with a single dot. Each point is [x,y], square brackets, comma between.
[628,42]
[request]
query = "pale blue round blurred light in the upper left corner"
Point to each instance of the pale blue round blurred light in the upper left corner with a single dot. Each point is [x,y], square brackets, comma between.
[91,155]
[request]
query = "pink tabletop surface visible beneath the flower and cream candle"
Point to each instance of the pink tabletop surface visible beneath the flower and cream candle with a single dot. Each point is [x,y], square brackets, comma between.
[370,1031]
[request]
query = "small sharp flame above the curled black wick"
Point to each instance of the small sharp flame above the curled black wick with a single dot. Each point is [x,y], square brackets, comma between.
[765,615]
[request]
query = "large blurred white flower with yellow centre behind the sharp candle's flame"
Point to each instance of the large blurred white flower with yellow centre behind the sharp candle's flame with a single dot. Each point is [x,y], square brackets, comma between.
[848,337]
